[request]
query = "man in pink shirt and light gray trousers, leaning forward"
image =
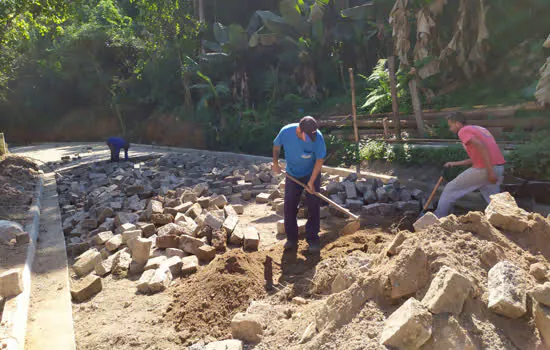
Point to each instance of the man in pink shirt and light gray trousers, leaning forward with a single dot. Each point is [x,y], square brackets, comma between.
[487,171]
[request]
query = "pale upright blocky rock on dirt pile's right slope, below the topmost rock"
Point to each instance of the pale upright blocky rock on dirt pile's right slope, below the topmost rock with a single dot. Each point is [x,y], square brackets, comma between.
[507,295]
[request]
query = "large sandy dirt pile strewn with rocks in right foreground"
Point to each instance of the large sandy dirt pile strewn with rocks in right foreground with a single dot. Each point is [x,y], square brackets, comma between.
[353,295]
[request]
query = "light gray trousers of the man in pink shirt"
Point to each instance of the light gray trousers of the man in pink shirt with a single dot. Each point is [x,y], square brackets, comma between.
[467,182]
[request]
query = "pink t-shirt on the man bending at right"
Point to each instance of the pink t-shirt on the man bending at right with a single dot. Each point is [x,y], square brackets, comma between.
[469,132]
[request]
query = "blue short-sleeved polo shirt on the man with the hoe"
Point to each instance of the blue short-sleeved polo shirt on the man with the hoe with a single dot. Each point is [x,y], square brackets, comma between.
[300,155]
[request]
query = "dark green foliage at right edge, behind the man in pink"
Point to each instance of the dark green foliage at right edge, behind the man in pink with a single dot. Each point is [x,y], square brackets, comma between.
[532,159]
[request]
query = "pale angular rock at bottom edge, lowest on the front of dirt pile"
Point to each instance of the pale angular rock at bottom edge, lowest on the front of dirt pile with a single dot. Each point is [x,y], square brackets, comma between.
[409,327]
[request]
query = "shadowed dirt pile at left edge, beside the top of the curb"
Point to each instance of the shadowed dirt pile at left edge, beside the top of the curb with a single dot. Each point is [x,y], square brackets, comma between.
[17,182]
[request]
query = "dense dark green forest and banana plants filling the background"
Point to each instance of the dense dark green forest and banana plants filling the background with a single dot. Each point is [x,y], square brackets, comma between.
[155,71]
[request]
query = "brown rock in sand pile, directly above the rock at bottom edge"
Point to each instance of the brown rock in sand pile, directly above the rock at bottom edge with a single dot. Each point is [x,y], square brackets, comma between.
[408,271]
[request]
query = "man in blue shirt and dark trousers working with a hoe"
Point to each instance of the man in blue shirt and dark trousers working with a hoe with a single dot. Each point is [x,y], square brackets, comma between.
[305,151]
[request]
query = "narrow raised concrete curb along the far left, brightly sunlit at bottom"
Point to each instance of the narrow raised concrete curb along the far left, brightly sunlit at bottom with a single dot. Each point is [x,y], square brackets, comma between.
[16,310]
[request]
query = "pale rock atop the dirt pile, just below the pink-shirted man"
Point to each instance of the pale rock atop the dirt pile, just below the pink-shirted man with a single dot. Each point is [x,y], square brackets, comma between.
[504,213]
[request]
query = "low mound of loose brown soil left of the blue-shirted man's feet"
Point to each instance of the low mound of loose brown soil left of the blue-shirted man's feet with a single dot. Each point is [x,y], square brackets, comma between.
[205,303]
